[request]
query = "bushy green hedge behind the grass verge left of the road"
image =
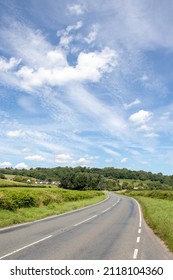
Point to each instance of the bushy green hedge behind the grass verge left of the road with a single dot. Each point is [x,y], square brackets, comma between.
[14,198]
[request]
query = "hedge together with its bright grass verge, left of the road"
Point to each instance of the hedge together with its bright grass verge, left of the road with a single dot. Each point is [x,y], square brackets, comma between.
[19,205]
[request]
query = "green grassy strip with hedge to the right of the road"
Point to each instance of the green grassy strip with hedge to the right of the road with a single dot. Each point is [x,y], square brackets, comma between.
[157,207]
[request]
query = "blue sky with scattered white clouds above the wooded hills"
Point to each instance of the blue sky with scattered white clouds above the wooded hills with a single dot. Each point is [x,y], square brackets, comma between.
[86,83]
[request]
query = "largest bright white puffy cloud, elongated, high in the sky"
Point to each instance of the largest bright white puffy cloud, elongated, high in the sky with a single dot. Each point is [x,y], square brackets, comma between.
[90,67]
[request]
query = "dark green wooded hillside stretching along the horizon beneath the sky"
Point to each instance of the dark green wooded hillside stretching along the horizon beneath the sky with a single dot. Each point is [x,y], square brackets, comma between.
[96,178]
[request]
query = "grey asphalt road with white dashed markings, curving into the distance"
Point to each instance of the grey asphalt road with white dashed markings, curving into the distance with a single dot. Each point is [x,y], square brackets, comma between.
[111,230]
